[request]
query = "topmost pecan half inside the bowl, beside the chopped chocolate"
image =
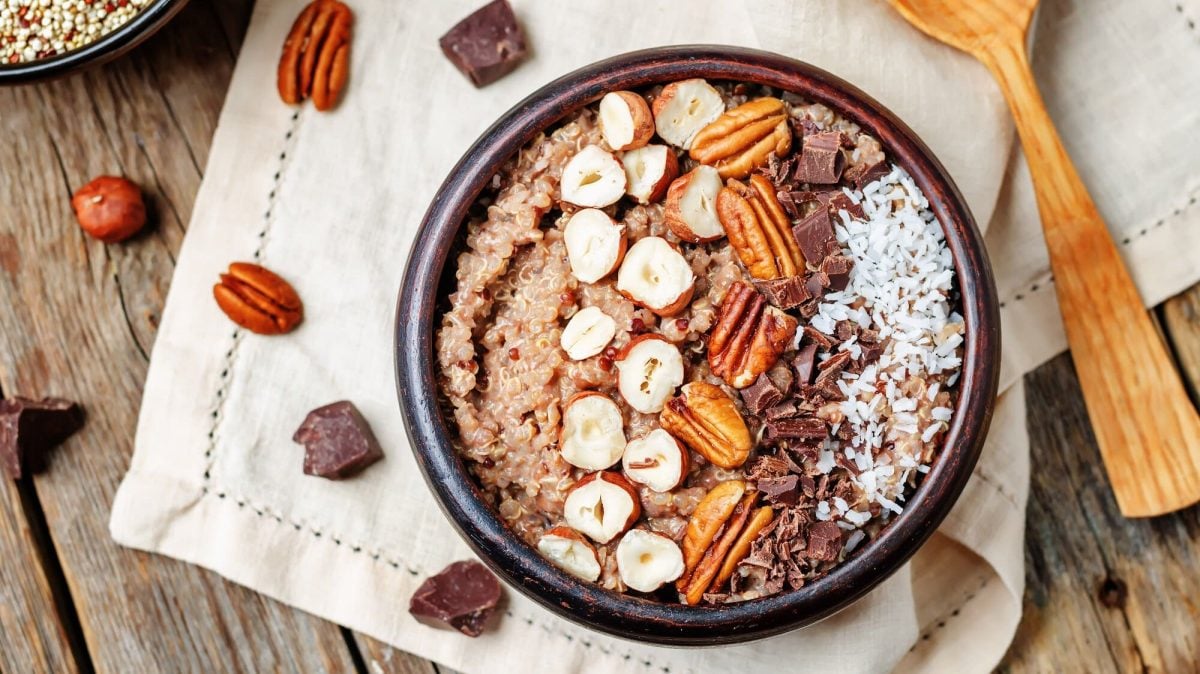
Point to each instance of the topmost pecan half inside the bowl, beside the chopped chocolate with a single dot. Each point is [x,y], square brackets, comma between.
[745,139]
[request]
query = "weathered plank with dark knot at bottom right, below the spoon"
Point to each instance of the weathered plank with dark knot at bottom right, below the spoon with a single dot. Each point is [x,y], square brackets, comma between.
[1105,593]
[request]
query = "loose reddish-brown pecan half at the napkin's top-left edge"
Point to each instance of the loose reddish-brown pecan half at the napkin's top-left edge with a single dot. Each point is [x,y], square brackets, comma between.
[316,56]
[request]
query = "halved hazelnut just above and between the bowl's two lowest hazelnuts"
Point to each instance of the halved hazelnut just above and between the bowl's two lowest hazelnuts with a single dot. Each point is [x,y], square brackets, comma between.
[602,507]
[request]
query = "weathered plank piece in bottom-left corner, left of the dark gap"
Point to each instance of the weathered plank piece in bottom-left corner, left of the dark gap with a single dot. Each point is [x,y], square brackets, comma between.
[33,637]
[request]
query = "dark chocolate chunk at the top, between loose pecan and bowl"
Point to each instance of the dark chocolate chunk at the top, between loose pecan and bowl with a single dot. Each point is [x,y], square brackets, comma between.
[488,45]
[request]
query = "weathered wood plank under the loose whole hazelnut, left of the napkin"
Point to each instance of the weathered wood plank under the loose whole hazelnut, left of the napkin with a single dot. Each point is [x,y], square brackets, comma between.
[80,318]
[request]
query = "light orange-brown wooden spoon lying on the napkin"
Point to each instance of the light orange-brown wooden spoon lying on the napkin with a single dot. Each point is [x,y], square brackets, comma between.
[1147,428]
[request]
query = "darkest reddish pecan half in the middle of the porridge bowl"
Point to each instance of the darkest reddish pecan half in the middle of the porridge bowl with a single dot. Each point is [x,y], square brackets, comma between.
[749,338]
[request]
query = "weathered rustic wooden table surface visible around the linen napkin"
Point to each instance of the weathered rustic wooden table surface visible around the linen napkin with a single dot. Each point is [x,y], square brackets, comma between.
[79,318]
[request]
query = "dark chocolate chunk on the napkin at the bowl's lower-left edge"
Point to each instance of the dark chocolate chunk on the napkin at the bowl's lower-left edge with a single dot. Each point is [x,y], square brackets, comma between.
[464,595]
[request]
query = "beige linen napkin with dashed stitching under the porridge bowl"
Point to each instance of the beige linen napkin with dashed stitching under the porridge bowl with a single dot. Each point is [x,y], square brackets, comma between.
[332,201]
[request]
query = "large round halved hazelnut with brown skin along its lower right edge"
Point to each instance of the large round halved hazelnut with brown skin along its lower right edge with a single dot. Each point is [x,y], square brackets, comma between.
[657,276]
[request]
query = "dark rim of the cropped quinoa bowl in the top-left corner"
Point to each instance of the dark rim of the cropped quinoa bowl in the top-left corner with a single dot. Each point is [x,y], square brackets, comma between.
[109,47]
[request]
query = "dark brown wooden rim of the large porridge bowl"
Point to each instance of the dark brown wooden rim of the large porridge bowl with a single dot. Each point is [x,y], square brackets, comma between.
[429,281]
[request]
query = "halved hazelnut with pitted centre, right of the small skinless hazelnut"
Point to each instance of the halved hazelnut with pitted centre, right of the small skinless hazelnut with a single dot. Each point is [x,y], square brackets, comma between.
[649,371]
